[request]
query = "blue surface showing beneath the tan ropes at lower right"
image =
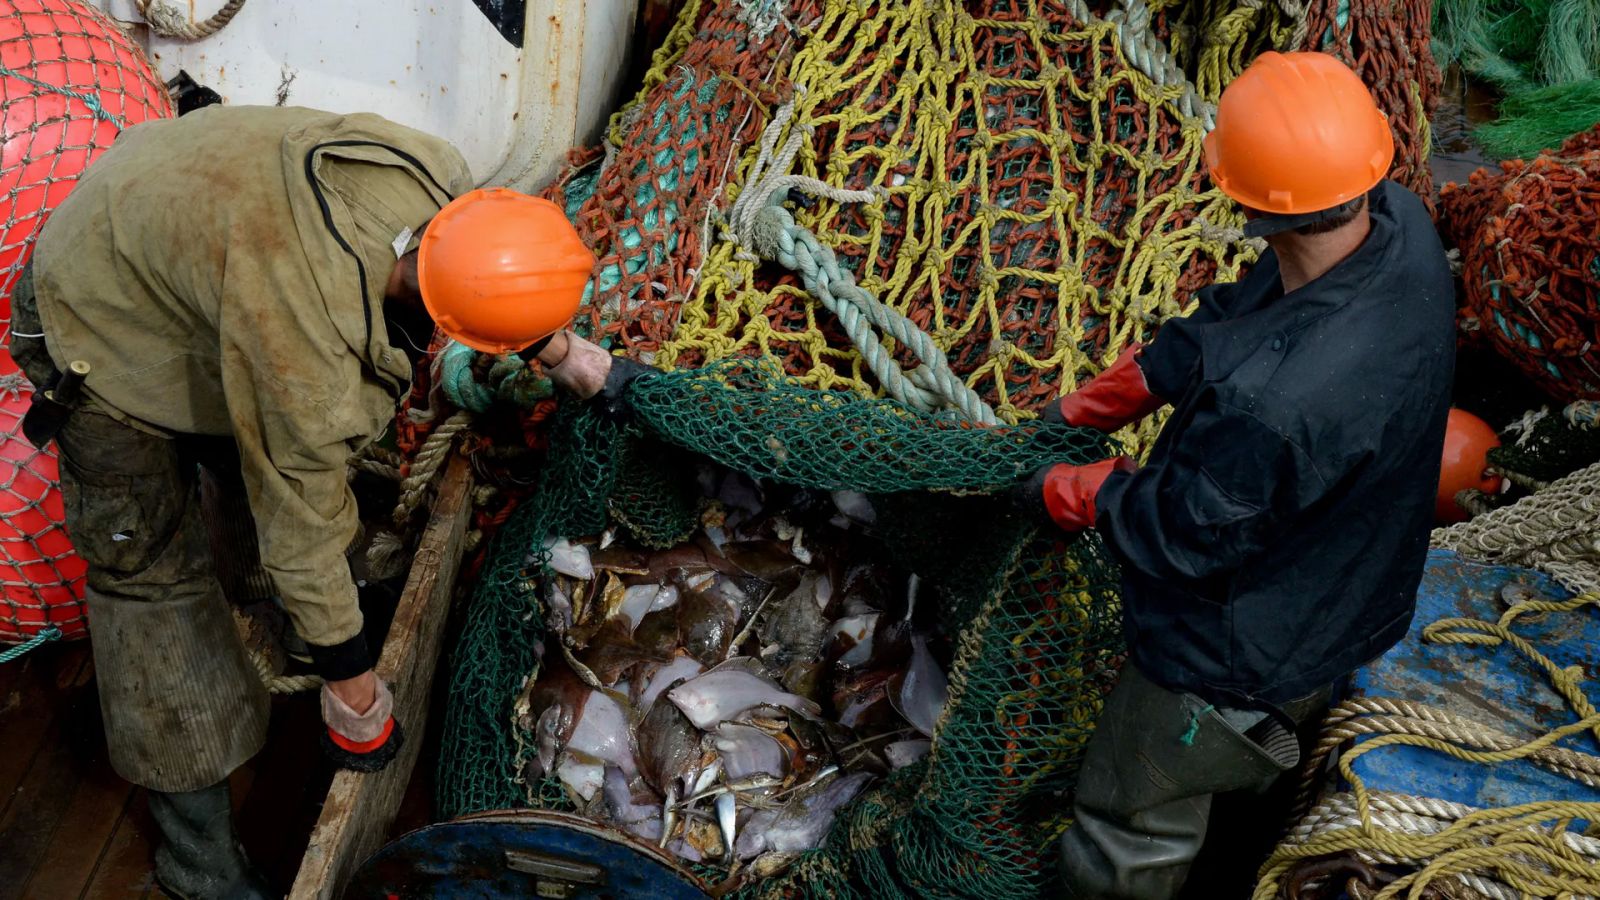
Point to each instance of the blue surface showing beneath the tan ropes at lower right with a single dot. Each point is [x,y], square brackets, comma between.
[1495,686]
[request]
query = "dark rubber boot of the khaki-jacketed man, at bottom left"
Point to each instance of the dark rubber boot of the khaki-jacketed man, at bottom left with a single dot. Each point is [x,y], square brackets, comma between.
[201,859]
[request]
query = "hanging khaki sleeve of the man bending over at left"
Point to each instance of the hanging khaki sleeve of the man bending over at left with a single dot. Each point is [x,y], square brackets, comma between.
[300,406]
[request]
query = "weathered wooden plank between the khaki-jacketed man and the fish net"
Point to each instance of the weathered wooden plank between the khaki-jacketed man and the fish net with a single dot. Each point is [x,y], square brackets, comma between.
[361,808]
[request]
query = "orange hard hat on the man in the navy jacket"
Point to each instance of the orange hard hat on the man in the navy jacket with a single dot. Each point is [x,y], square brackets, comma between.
[1298,134]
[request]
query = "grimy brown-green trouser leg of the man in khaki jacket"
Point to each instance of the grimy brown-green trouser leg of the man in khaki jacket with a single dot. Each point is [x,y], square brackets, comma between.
[182,702]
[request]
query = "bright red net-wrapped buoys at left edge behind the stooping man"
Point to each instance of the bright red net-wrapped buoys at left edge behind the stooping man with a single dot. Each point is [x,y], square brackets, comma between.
[70,82]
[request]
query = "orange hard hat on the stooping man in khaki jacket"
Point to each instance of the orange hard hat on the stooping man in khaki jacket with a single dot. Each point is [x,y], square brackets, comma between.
[502,271]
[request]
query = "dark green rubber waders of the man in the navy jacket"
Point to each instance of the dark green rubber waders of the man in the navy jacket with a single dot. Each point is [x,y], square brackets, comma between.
[1145,792]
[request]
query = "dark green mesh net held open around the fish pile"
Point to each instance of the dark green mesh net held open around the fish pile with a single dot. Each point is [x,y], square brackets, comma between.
[1039,619]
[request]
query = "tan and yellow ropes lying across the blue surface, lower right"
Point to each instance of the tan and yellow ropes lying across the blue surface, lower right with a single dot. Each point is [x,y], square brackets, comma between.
[1510,853]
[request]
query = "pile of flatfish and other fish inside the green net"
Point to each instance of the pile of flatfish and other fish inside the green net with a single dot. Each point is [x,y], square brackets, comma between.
[727,697]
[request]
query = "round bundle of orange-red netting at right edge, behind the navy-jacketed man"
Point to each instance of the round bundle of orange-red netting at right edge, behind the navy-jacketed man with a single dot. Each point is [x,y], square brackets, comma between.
[1530,262]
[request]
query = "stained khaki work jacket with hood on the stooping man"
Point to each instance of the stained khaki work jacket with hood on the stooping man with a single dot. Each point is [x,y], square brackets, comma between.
[223,275]
